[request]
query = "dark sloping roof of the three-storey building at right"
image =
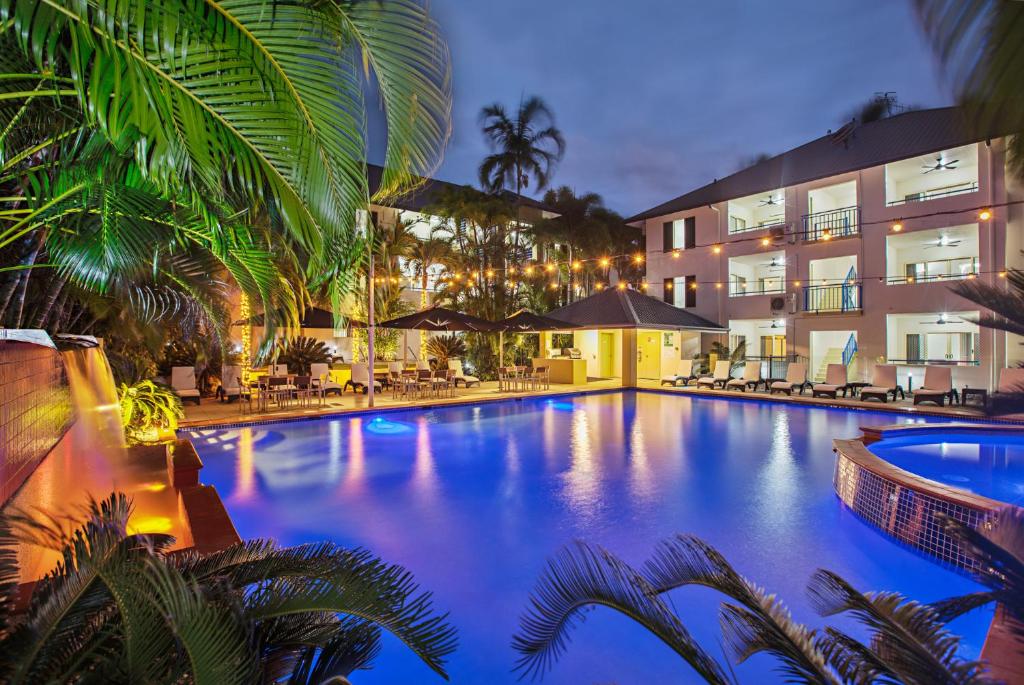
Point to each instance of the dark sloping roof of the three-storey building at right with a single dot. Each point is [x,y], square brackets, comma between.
[850,149]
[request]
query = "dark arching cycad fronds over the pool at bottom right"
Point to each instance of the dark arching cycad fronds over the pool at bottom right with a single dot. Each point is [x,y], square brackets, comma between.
[909,641]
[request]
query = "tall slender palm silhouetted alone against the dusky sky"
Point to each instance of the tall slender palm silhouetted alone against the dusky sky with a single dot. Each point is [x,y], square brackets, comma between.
[526,147]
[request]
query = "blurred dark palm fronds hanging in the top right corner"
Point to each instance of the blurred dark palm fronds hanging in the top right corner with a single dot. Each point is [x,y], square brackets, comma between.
[980,45]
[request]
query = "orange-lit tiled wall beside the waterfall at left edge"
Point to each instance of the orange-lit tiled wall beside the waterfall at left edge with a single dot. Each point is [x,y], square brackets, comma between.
[35,410]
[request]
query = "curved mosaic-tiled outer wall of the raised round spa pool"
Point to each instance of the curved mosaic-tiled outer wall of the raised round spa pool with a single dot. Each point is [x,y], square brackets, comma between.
[906,515]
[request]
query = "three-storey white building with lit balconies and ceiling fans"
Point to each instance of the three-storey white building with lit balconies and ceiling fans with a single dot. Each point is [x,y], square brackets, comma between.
[844,249]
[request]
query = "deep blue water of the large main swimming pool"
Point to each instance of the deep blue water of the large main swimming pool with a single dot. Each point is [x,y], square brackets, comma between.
[474,500]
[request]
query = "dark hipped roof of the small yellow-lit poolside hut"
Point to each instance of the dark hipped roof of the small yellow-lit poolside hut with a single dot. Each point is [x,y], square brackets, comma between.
[625,309]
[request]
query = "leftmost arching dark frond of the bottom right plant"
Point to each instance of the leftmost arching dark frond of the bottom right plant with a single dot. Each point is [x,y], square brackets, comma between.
[581,577]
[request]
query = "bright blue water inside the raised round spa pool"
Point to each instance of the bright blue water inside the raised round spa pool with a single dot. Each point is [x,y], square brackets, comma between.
[987,464]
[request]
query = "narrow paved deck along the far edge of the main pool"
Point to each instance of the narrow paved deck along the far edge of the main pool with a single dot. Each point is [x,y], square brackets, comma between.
[212,413]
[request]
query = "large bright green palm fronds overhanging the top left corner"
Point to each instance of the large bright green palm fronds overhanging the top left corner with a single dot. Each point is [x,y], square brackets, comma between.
[258,105]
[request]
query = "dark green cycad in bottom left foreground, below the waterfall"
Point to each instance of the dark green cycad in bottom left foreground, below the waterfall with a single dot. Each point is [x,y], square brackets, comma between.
[120,609]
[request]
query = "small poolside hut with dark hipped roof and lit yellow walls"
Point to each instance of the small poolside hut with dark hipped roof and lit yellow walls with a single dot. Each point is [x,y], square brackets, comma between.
[620,332]
